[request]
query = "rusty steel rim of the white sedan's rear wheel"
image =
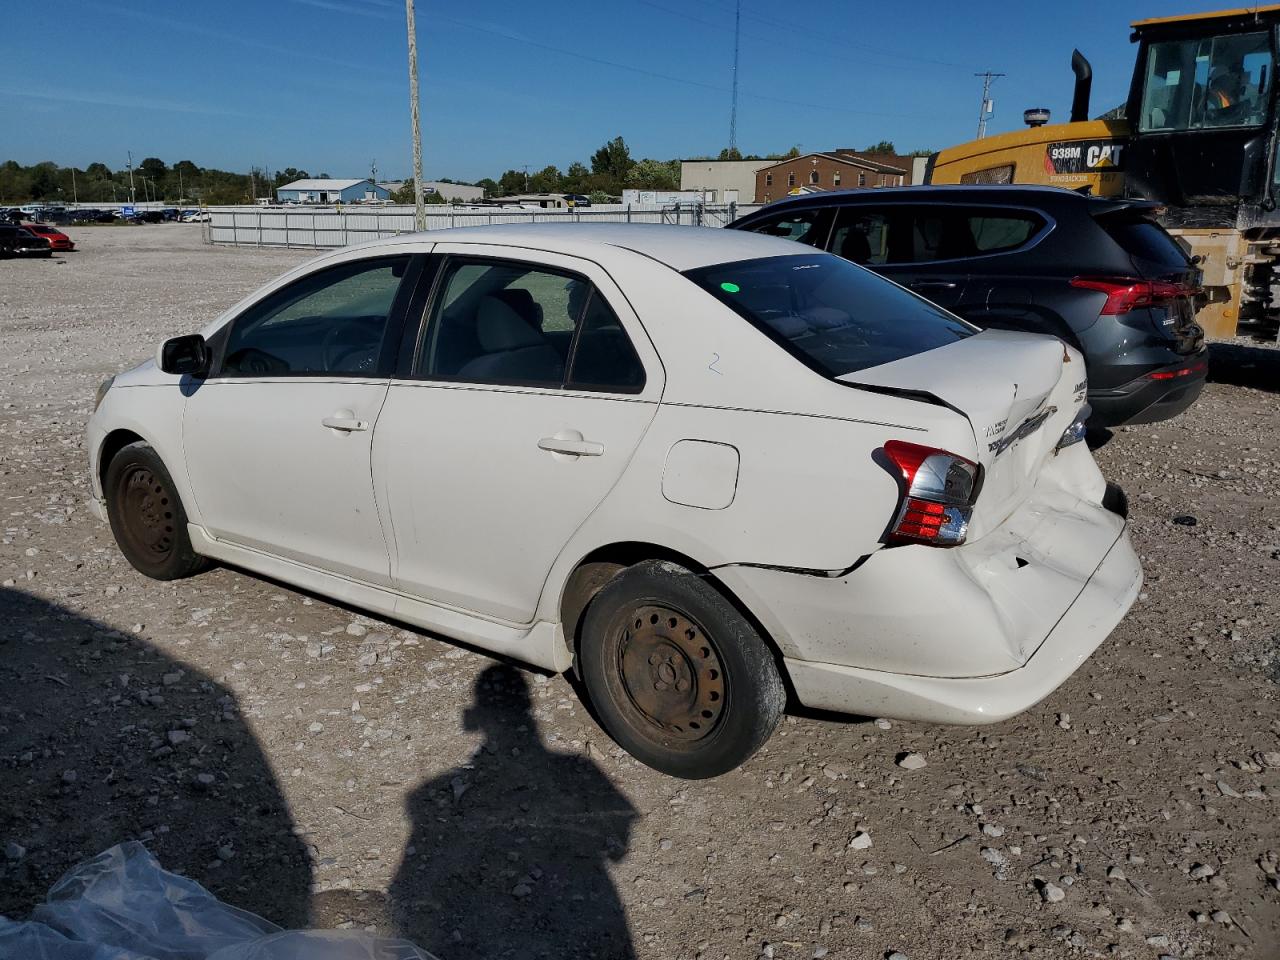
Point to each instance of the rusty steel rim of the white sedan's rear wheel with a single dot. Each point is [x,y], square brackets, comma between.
[671,674]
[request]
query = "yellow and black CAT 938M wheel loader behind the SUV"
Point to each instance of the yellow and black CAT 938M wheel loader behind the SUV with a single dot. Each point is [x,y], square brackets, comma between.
[1197,135]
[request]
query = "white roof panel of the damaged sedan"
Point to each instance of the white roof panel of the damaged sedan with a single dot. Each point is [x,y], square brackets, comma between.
[679,248]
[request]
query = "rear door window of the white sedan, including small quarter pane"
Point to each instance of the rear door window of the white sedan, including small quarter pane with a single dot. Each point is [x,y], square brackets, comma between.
[509,323]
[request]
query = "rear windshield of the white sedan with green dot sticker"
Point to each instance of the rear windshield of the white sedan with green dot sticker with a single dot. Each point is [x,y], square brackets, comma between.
[833,316]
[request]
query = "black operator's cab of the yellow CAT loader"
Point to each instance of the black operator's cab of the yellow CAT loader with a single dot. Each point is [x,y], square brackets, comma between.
[1203,113]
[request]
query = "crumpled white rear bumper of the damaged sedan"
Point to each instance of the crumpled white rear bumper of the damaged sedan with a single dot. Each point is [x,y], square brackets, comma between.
[968,636]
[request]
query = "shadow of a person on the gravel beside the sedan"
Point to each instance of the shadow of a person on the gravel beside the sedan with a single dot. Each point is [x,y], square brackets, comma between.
[509,854]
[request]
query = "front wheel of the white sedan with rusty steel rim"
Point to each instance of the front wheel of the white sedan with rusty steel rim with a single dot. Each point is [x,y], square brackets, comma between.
[148,518]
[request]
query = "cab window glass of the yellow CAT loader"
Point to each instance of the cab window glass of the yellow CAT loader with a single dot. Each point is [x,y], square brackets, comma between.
[1205,84]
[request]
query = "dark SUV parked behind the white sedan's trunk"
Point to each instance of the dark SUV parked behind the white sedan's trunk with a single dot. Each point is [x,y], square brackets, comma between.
[1096,272]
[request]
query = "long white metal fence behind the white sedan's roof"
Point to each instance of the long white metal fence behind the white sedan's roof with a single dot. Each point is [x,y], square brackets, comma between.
[331,227]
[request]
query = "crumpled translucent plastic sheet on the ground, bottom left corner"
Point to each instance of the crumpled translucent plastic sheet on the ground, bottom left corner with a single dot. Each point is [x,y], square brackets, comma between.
[122,906]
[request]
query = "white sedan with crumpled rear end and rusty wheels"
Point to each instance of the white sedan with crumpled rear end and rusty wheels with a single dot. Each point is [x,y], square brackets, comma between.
[705,469]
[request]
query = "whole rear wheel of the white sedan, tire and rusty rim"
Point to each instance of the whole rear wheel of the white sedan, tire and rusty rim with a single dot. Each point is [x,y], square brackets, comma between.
[678,676]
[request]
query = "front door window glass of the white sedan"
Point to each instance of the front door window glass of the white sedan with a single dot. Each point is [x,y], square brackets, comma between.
[332,322]
